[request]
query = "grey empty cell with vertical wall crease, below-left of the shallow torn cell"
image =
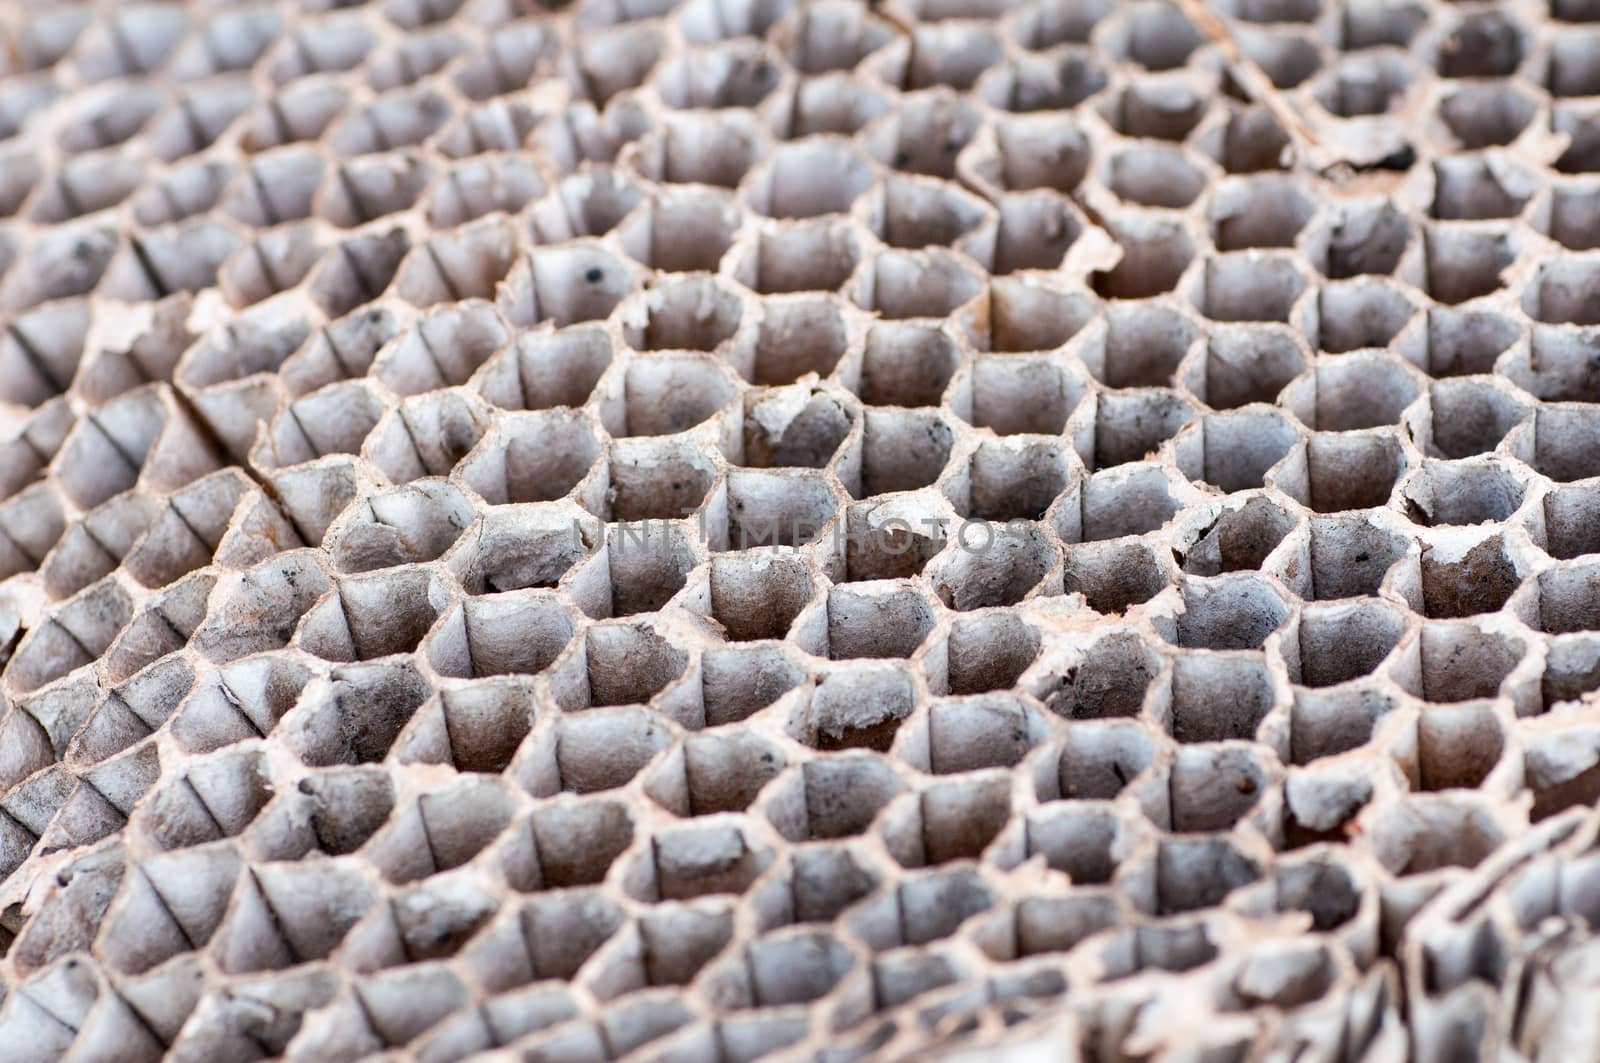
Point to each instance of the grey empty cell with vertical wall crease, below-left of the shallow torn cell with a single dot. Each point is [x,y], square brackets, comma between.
[372,617]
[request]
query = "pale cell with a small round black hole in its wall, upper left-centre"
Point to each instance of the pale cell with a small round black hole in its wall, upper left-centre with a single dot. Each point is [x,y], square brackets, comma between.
[564,286]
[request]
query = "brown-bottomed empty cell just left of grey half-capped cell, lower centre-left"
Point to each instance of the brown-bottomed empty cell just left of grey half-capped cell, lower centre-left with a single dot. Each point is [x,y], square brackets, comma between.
[569,843]
